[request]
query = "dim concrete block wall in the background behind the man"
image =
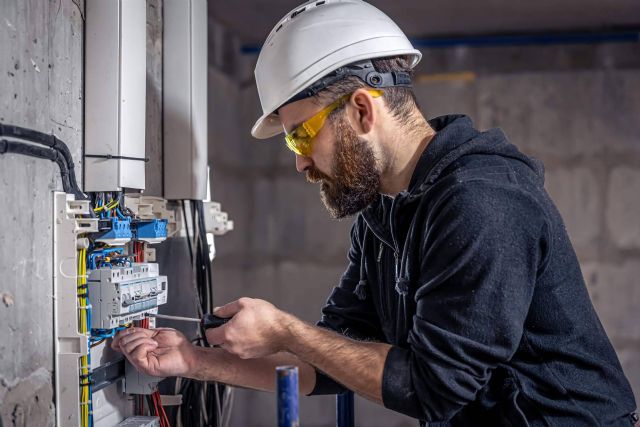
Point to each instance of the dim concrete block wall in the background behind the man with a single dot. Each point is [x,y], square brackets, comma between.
[574,107]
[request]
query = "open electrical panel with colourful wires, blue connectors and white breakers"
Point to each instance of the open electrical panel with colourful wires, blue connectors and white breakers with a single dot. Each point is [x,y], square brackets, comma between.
[105,283]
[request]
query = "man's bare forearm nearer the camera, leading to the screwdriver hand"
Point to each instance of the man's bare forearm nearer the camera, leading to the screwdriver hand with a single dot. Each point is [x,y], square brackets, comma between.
[357,365]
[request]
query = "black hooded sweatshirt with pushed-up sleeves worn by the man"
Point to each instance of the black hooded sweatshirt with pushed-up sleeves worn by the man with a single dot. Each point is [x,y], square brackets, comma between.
[471,277]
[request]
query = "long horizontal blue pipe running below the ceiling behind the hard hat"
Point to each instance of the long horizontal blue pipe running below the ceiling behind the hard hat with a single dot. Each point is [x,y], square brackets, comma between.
[544,39]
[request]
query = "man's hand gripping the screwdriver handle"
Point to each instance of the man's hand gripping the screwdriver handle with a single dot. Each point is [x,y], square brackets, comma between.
[256,328]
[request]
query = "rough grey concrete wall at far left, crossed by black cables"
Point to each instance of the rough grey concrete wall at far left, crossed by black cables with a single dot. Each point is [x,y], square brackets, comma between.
[40,88]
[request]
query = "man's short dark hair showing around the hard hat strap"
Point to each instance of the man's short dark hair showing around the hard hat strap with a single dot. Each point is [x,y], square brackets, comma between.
[401,101]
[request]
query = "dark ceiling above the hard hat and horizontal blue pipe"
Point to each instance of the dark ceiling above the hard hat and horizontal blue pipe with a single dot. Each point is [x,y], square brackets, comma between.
[251,20]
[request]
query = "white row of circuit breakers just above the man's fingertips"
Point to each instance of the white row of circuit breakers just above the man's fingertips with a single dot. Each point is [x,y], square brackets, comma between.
[120,295]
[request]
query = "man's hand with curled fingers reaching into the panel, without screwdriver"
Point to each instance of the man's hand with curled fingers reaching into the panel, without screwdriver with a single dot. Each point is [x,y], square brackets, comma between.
[159,352]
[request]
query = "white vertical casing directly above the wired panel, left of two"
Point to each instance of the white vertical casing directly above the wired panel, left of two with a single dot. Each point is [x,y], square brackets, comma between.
[115,94]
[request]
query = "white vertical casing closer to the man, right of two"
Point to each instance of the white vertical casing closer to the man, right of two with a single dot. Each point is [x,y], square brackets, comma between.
[184,95]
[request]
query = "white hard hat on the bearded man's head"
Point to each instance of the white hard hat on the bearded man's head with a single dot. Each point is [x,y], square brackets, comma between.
[314,40]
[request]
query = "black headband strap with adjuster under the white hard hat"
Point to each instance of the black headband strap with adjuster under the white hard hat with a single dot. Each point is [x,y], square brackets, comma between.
[364,70]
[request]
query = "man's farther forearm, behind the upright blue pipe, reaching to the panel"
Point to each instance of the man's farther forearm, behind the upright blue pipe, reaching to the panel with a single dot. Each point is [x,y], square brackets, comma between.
[215,364]
